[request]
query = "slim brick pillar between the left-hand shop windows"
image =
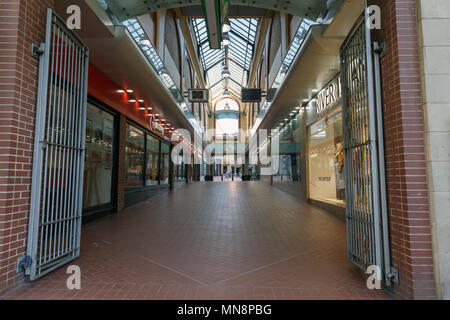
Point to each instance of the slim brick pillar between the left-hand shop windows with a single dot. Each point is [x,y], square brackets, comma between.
[122,167]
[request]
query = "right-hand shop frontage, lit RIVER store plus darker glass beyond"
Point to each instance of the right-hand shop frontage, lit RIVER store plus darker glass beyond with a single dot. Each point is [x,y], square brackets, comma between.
[311,155]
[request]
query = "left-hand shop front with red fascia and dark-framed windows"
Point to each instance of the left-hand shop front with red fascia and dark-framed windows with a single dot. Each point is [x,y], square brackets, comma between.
[127,158]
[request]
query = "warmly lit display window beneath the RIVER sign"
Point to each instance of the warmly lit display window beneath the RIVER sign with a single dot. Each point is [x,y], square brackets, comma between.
[326,160]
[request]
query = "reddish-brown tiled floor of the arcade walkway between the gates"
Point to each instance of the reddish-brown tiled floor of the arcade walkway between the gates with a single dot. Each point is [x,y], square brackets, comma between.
[212,241]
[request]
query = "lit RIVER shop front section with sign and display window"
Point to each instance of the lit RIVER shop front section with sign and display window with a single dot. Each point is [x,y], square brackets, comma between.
[325,150]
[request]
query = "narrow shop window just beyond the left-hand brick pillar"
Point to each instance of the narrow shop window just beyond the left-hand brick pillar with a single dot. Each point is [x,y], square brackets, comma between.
[135,156]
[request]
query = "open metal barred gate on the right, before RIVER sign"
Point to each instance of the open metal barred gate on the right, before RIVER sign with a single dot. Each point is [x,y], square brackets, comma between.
[366,212]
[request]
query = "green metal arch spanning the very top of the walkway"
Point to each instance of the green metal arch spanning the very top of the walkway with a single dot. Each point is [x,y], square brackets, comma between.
[126,9]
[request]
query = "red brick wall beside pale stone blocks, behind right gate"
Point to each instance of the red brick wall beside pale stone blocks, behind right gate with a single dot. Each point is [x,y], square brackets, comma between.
[411,242]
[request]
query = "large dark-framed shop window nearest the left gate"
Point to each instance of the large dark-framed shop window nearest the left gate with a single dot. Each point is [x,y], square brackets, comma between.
[98,166]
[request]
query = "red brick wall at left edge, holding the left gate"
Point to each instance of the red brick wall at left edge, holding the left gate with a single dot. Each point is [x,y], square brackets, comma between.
[21,24]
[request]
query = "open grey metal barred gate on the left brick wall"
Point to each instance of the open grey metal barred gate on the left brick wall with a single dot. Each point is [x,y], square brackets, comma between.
[56,195]
